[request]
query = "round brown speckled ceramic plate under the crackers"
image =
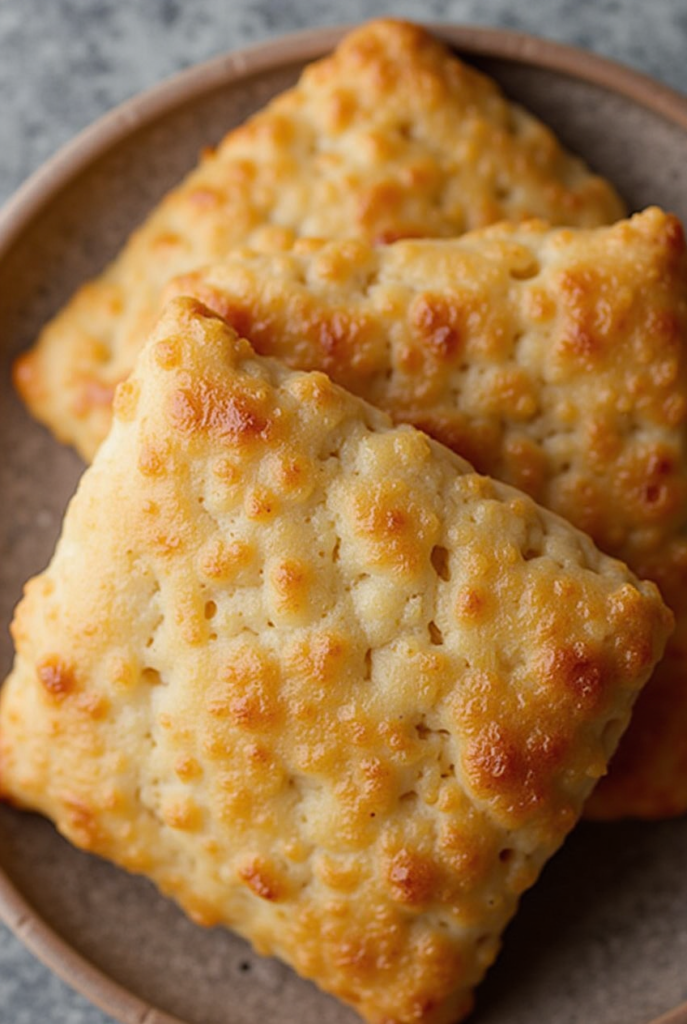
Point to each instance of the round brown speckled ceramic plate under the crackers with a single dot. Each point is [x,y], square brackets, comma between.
[604,937]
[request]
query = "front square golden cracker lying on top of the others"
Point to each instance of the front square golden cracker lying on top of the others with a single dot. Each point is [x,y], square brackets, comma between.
[315,677]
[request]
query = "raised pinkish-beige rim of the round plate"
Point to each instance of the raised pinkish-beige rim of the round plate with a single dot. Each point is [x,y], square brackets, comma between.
[108,132]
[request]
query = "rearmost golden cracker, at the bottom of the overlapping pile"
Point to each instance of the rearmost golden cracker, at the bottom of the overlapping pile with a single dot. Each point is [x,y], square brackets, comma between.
[389,138]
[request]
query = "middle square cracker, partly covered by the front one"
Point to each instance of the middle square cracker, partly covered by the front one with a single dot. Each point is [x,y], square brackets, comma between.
[554,360]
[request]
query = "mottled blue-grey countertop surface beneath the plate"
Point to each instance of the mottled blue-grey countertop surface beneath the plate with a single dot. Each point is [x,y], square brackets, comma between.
[65,63]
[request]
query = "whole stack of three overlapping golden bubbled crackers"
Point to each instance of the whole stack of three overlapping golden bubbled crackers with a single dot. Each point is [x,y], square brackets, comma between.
[387,409]
